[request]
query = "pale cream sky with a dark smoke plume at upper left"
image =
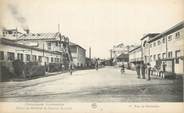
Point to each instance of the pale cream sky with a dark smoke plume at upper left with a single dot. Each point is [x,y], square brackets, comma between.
[98,24]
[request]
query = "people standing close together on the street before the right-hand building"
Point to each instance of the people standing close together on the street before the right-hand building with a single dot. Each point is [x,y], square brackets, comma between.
[143,70]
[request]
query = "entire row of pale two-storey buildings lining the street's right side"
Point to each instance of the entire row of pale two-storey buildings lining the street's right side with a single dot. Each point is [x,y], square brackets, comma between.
[162,48]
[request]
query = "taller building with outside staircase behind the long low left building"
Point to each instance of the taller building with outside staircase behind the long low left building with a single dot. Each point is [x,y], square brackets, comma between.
[50,42]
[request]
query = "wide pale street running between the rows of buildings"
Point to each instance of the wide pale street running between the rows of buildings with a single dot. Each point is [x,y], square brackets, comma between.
[104,85]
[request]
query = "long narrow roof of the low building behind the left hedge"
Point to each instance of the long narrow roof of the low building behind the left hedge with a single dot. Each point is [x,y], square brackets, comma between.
[13,43]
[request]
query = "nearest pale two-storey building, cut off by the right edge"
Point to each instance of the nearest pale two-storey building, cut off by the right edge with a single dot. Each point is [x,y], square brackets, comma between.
[169,47]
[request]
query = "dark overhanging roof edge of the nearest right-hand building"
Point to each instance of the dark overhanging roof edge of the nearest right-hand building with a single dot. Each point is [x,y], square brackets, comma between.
[169,31]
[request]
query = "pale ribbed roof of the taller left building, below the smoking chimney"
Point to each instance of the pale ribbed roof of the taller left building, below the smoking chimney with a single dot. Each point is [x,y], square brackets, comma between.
[39,36]
